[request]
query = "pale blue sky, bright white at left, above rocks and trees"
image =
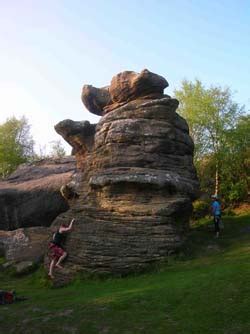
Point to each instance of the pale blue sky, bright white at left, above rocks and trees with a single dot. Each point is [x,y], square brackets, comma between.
[49,49]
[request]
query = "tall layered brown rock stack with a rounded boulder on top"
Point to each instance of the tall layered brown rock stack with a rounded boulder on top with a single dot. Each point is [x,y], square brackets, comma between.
[138,182]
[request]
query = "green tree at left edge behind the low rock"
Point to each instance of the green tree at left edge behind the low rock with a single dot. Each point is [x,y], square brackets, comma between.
[16,144]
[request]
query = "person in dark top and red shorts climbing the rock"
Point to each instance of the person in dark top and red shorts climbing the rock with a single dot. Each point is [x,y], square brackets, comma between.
[58,253]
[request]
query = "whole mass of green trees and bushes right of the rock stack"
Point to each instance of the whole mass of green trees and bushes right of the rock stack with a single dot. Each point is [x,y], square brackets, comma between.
[221,136]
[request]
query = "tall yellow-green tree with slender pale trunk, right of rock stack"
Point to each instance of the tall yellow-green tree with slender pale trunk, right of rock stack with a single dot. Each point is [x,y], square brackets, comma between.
[210,113]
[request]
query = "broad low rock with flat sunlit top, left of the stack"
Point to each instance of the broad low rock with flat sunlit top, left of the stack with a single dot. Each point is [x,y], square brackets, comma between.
[31,195]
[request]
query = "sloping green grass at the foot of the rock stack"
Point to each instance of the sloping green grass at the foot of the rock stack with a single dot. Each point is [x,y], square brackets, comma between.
[205,290]
